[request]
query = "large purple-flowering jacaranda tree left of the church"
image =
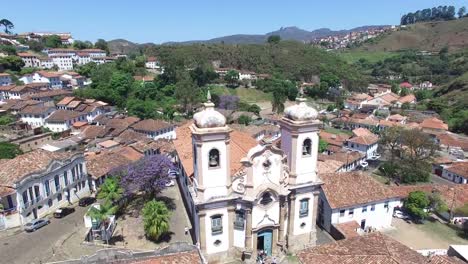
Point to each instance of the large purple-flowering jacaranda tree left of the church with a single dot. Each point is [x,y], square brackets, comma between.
[148,175]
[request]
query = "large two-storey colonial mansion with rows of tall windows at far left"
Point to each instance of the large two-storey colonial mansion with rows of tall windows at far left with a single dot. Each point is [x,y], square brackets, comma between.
[38,182]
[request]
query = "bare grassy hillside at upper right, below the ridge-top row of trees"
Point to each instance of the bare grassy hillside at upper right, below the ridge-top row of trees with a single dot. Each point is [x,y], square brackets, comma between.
[428,36]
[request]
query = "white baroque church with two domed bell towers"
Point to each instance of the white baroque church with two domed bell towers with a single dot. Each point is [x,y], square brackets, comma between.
[245,196]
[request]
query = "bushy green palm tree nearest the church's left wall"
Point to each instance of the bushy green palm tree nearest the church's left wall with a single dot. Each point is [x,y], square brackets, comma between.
[156,219]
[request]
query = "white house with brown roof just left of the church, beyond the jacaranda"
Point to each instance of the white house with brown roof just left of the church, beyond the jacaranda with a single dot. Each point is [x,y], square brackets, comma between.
[155,129]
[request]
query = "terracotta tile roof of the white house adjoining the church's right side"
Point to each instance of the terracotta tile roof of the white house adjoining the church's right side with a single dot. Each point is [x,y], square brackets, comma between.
[348,189]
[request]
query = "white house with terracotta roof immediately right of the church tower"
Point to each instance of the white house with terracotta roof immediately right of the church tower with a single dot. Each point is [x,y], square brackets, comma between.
[355,198]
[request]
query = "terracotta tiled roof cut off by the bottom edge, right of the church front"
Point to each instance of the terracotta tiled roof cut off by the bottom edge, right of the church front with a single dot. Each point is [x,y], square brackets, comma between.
[374,248]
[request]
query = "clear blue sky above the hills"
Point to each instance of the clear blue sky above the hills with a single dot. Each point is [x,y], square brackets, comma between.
[177,20]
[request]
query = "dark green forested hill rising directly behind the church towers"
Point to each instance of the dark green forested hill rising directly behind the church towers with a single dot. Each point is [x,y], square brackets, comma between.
[287,59]
